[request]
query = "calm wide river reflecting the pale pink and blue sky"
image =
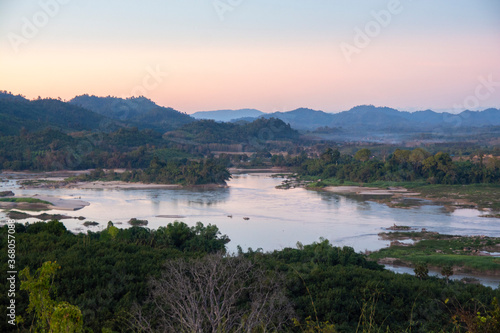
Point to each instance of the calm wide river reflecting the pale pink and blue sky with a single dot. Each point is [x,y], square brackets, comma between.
[277,218]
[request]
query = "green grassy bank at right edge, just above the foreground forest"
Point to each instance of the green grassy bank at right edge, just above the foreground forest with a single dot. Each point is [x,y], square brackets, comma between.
[441,250]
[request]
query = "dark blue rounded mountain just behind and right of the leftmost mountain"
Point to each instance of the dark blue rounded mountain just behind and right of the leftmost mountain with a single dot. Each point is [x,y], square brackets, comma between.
[135,111]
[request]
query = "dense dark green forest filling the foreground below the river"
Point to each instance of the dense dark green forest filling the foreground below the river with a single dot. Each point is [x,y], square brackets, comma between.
[138,279]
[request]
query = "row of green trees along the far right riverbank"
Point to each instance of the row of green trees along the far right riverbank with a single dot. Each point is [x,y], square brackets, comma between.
[401,166]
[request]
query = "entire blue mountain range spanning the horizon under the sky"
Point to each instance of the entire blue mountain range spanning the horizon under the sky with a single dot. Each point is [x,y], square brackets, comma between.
[87,112]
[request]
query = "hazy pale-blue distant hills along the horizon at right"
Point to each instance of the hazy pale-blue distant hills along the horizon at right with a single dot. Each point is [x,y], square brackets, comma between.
[370,118]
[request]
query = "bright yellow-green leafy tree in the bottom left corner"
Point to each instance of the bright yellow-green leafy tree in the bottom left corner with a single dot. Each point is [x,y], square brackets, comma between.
[50,316]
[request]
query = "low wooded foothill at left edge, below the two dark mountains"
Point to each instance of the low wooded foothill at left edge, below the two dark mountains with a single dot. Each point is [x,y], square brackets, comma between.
[52,149]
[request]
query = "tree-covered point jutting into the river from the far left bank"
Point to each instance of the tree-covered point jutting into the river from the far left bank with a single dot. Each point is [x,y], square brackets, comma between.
[185,172]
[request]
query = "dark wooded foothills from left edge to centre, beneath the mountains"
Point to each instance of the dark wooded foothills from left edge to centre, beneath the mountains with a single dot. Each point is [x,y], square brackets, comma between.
[53,149]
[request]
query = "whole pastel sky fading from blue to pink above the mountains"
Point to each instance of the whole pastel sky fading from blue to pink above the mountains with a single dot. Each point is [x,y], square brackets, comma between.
[271,55]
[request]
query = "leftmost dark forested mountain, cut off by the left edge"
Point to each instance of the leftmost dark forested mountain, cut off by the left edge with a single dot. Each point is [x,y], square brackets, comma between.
[17,112]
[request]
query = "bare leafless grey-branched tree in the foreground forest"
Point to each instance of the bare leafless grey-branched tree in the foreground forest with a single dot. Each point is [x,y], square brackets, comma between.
[216,293]
